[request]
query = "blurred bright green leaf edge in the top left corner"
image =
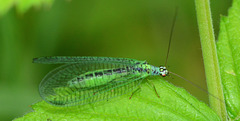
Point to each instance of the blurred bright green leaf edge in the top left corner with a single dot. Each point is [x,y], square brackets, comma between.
[21,5]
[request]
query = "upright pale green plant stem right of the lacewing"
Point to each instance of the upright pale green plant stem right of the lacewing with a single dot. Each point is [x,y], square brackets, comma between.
[210,57]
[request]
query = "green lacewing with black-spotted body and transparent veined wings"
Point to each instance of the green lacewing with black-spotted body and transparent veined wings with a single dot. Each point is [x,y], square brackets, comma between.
[83,80]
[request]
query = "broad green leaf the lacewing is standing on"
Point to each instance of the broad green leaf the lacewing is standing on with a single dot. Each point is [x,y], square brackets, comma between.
[174,104]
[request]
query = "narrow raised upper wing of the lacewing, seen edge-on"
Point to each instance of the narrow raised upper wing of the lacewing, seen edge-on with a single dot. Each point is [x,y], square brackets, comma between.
[77,59]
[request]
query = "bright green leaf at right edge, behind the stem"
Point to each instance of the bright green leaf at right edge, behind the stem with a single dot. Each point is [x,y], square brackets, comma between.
[228,47]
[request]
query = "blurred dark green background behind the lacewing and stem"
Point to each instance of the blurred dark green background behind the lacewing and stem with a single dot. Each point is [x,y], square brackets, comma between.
[136,29]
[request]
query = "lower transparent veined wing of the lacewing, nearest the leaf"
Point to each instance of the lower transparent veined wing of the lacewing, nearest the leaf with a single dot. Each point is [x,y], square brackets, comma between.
[71,96]
